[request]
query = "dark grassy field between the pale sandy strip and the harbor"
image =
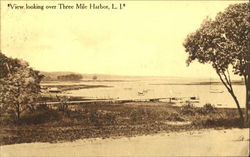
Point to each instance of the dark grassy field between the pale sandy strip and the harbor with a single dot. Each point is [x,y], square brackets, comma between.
[112,120]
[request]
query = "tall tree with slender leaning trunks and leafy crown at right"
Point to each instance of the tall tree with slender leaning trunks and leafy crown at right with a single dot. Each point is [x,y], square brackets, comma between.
[224,43]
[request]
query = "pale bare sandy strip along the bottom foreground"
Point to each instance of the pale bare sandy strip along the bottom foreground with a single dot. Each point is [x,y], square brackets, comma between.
[229,142]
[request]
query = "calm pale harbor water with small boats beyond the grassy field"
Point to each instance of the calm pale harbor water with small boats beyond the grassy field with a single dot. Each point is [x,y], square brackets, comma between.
[161,89]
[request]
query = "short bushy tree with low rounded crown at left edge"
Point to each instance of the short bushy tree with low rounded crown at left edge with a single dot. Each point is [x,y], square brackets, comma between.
[19,85]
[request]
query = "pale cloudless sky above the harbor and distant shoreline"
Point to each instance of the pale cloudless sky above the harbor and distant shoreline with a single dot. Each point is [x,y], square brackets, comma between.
[144,38]
